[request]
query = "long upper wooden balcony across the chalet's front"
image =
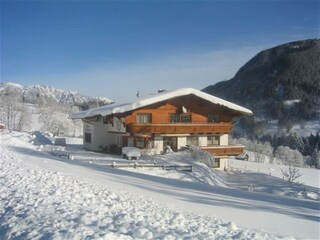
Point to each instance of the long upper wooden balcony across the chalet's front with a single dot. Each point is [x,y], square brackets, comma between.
[180,128]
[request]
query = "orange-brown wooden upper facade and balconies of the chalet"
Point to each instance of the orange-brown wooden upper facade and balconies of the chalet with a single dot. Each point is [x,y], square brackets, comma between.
[191,117]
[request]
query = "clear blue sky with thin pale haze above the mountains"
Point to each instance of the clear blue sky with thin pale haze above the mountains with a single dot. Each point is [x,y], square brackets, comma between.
[116,48]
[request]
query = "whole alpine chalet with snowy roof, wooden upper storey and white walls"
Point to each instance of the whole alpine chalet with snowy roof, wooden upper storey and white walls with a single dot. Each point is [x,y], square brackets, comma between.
[170,118]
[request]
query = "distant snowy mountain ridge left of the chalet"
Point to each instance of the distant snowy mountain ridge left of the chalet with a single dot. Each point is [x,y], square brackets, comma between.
[45,94]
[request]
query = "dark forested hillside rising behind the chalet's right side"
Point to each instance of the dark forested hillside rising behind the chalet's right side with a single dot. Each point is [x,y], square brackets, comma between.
[283,81]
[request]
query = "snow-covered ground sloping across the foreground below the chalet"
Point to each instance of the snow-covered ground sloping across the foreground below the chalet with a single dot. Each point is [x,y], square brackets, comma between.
[46,196]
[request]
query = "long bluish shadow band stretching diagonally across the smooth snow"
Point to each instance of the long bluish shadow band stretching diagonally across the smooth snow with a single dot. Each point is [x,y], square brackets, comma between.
[200,193]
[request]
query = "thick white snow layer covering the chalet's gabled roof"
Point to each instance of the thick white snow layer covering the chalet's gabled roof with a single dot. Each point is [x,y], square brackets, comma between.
[162,96]
